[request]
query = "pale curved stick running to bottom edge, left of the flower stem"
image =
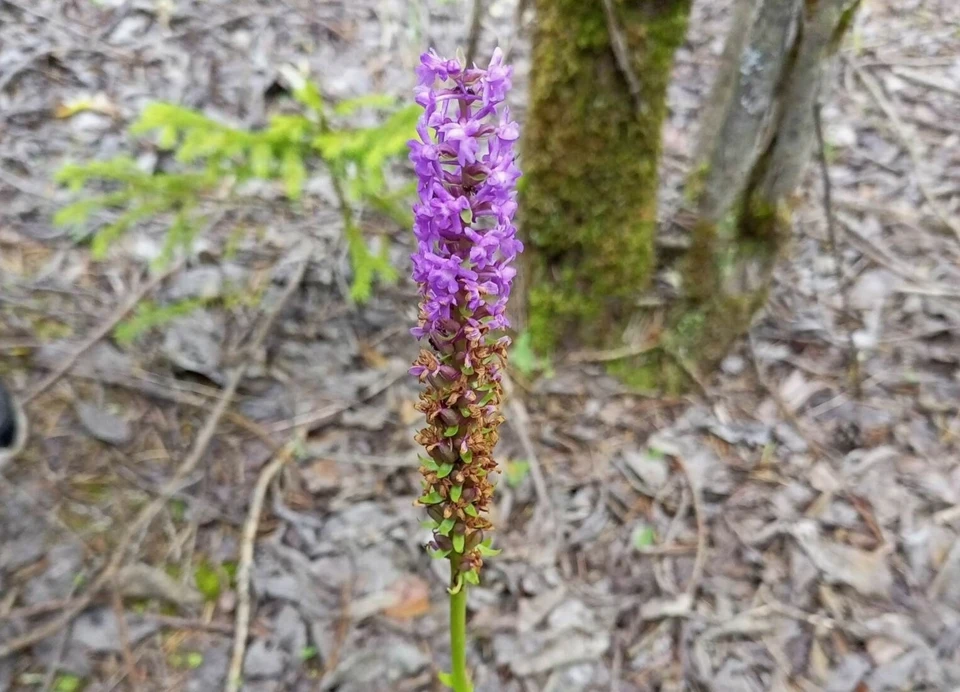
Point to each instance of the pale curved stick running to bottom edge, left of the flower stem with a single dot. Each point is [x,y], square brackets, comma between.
[245,565]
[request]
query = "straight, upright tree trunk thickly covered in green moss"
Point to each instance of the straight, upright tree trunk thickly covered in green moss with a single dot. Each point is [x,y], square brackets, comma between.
[590,162]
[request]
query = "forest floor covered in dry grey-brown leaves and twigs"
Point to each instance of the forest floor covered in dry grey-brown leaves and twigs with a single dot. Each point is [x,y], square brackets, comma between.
[778,531]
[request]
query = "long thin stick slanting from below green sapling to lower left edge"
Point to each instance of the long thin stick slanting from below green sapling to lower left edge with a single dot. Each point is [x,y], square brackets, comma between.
[169,489]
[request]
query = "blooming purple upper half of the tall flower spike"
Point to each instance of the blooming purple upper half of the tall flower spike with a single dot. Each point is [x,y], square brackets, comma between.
[464,160]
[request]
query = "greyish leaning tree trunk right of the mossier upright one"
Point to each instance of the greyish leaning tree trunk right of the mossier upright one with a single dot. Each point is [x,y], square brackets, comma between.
[751,161]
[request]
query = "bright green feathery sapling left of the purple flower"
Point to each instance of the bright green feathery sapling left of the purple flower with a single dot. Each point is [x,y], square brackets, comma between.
[212,159]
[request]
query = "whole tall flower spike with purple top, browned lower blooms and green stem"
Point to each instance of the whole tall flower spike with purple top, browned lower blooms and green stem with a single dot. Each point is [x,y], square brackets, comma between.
[466,246]
